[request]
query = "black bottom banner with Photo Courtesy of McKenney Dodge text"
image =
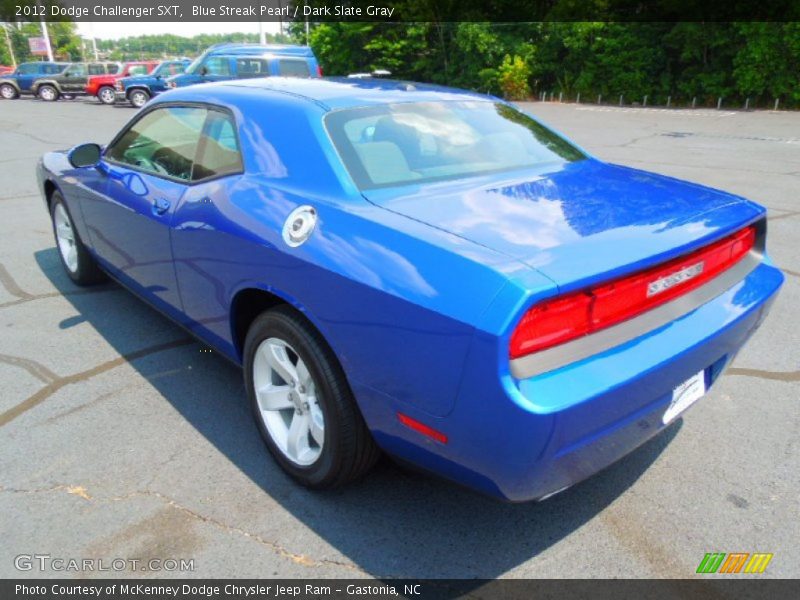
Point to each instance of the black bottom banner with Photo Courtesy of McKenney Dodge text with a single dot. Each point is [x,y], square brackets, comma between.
[703,588]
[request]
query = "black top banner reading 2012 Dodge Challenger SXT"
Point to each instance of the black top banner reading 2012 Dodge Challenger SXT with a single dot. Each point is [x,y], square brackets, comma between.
[399,10]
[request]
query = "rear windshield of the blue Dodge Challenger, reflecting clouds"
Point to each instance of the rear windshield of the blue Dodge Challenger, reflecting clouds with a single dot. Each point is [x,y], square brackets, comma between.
[396,144]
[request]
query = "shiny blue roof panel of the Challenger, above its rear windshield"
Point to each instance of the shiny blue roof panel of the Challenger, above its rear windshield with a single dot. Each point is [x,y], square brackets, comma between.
[338,93]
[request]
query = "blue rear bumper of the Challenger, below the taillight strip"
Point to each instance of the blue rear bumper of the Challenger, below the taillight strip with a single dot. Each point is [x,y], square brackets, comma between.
[526,439]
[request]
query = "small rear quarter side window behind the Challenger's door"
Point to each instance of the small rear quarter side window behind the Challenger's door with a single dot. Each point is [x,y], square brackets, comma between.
[218,152]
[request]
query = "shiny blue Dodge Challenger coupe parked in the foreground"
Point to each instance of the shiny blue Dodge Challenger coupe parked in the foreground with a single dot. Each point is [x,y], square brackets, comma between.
[420,270]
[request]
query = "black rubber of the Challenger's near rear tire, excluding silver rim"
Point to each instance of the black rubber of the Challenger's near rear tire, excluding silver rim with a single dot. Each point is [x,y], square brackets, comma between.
[348,450]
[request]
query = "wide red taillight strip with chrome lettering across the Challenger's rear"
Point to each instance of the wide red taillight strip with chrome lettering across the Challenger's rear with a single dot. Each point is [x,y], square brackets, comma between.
[568,317]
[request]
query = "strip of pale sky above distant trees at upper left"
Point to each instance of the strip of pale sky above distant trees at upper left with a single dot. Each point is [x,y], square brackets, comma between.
[115,30]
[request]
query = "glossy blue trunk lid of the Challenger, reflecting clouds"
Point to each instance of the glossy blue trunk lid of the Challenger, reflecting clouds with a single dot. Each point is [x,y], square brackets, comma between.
[577,223]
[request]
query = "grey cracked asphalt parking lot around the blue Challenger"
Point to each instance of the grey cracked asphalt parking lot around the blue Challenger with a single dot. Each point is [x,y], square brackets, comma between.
[121,438]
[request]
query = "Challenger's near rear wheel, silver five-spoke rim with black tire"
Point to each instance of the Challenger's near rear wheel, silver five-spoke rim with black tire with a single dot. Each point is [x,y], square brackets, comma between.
[302,403]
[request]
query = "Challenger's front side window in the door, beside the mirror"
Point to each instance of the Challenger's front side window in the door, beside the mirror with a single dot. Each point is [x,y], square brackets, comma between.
[163,142]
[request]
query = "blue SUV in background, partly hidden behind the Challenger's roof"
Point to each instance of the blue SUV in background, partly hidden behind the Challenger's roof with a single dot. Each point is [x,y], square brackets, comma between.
[243,61]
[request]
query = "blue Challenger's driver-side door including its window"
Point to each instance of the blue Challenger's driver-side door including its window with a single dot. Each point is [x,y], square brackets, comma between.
[148,169]
